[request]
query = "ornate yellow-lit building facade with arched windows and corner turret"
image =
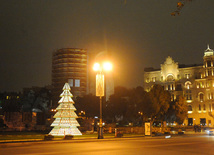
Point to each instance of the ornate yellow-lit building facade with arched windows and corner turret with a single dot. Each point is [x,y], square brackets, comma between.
[194,82]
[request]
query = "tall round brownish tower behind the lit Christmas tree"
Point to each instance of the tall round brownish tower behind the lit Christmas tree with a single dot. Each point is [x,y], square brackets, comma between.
[69,65]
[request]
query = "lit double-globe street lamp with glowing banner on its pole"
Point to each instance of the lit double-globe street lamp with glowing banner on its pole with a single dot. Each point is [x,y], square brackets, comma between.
[107,66]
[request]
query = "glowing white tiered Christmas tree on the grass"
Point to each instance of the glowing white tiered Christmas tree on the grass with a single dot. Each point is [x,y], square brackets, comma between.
[65,122]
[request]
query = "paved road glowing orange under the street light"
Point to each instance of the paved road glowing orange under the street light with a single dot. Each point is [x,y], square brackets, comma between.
[194,145]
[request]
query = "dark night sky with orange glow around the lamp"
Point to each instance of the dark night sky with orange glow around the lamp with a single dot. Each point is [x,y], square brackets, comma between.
[138,34]
